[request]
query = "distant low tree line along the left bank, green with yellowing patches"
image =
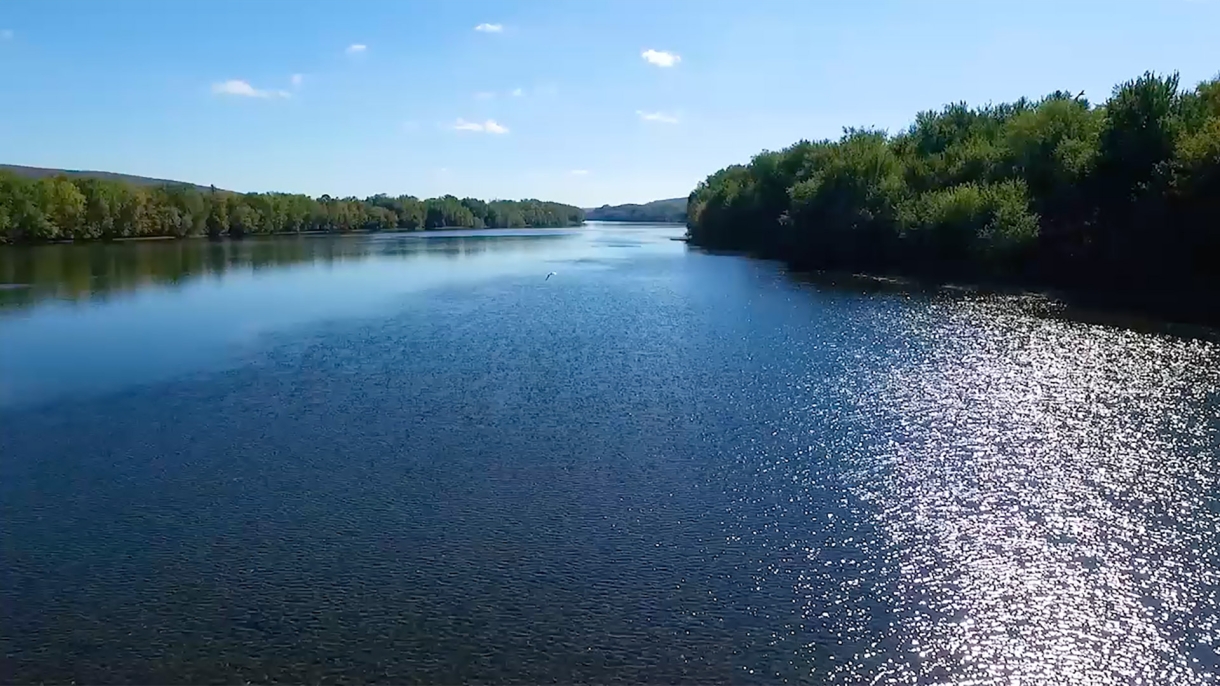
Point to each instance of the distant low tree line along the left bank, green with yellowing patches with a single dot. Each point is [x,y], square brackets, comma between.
[87,209]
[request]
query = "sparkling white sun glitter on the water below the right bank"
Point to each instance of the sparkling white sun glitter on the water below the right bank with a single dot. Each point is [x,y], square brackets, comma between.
[1049,490]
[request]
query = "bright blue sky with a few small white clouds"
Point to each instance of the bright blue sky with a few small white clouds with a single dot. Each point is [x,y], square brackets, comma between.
[553,99]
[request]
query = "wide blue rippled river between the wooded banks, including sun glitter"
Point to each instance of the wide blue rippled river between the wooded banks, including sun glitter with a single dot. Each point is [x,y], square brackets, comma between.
[412,460]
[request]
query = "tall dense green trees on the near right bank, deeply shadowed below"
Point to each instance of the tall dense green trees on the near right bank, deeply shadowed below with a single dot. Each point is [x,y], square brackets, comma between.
[1121,200]
